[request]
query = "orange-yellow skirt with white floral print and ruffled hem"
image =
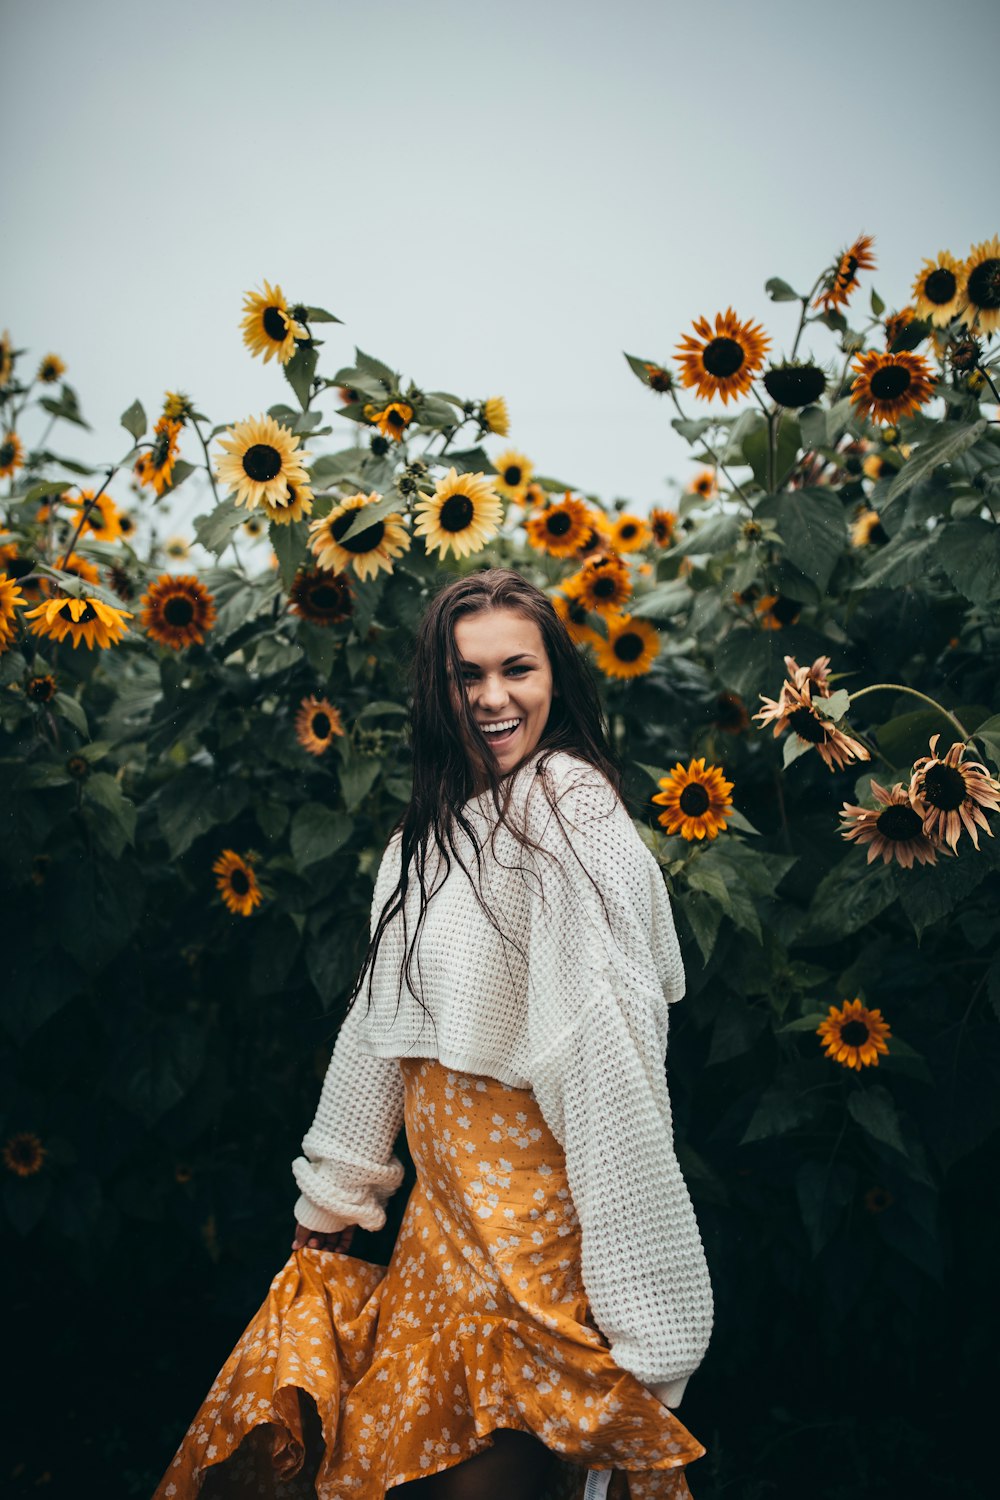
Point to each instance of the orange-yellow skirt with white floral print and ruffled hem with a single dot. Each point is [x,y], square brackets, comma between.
[355,1379]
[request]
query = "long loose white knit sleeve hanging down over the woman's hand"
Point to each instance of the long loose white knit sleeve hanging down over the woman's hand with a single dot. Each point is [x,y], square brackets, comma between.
[600,989]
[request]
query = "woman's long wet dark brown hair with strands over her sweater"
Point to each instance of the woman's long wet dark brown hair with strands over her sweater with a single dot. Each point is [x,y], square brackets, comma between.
[452,757]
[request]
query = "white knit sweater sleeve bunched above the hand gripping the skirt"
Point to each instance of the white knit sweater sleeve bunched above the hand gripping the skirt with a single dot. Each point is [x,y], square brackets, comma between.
[349,1171]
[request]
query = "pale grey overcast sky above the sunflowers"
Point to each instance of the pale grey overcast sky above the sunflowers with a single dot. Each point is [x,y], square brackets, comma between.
[496,199]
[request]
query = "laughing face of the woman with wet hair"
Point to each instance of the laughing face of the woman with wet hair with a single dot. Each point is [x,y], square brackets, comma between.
[507,677]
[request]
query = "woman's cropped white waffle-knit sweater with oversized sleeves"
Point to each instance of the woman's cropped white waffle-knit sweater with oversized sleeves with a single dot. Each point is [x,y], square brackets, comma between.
[581,1019]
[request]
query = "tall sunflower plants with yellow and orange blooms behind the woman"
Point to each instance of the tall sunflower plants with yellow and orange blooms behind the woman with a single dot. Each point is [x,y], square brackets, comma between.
[205,752]
